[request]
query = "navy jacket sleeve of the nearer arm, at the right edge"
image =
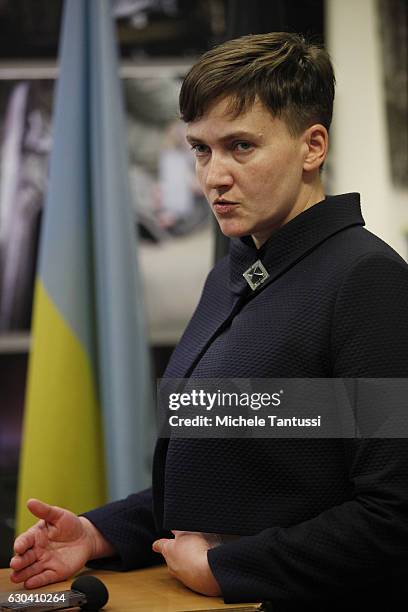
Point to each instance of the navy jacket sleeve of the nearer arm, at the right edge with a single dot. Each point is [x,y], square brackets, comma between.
[362,543]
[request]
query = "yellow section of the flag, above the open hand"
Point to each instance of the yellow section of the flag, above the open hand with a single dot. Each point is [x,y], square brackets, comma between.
[61,460]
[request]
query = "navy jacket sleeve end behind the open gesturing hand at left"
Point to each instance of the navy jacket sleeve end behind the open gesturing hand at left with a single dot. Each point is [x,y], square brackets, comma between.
[128,525]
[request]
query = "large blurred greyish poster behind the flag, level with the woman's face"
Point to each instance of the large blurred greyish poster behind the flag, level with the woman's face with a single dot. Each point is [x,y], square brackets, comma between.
[171,217]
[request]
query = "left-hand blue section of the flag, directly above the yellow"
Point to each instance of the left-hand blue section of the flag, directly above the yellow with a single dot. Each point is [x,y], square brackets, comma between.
[65,254]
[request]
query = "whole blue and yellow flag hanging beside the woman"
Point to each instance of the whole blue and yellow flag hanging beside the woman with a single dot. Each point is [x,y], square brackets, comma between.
[87,396]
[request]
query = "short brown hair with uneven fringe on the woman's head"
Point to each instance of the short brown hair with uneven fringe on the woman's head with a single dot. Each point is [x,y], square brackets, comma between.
[293,78]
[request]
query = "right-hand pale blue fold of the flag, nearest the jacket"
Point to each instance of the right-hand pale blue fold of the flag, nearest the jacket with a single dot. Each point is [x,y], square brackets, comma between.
[123,357]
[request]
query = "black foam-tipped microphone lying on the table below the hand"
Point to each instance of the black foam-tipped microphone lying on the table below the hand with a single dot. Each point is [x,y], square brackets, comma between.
[87,592]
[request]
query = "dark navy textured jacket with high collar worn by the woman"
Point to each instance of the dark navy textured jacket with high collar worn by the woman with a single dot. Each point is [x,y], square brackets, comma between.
[320,518]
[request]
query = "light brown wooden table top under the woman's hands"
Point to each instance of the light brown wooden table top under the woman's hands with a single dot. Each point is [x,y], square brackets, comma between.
[147,590]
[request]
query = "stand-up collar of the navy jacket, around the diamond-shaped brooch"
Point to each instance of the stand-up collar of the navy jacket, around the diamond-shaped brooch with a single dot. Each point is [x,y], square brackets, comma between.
[294,240]
